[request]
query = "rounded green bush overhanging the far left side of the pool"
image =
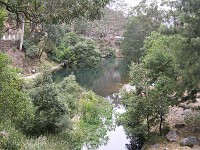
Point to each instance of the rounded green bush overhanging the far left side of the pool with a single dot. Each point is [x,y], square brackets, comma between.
[77,52]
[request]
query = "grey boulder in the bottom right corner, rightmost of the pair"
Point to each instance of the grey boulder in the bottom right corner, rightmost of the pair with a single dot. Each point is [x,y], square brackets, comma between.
[189,141]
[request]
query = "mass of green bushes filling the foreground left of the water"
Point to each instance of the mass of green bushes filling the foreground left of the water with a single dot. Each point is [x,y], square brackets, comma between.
[63,112]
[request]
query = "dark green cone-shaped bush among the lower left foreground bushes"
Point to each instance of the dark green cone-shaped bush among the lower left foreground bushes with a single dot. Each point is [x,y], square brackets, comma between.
[51,115]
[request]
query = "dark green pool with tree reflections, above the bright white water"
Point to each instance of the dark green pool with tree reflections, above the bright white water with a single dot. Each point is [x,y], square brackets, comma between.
[104,80]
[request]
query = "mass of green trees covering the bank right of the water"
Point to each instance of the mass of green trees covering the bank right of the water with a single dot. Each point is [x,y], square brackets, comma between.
[165,64]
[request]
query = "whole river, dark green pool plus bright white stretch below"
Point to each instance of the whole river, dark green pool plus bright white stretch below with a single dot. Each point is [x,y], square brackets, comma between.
[106,81]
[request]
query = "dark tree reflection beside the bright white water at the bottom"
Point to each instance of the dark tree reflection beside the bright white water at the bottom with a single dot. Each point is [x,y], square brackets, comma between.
[136,143]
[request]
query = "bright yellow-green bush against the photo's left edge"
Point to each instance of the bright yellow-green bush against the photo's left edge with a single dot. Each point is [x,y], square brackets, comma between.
[14,103]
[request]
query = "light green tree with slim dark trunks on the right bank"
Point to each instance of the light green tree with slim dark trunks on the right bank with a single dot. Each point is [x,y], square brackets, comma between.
[154,79]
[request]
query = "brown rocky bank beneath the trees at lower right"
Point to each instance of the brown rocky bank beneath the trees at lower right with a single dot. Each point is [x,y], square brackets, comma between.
[182,129]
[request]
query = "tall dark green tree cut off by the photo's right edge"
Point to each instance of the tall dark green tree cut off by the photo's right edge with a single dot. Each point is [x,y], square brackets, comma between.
[190,62]
